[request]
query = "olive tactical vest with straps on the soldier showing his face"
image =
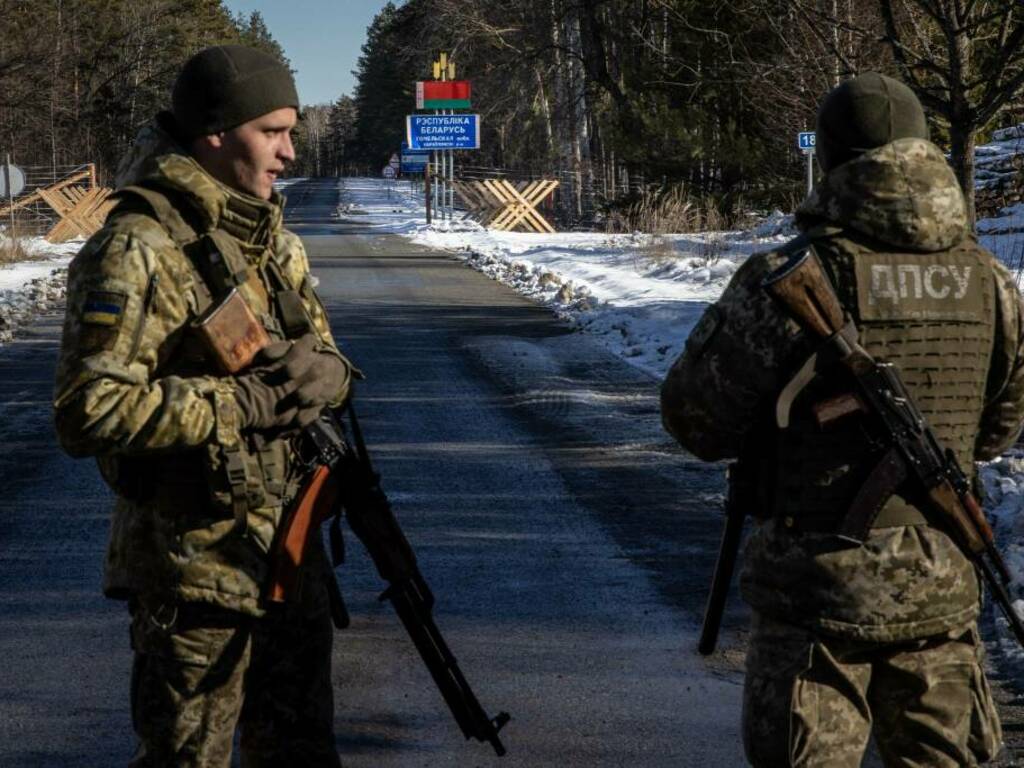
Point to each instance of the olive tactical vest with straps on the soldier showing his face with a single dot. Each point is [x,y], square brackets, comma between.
[255,474]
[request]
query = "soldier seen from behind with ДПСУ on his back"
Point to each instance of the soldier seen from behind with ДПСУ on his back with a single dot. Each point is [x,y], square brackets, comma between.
[848,639]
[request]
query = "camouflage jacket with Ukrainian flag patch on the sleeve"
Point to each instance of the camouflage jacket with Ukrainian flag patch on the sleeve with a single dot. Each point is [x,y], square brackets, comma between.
[136,389]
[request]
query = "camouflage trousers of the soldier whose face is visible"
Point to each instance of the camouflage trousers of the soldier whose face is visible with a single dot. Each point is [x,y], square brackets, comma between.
[199,673]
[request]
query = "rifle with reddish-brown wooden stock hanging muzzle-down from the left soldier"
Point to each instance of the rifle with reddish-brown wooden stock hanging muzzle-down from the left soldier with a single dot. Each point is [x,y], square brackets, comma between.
[343,479]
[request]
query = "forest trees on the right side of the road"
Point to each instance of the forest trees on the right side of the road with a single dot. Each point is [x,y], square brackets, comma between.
[618,95]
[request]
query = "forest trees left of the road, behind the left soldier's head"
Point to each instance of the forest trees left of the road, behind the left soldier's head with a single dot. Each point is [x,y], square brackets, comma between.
[79,78]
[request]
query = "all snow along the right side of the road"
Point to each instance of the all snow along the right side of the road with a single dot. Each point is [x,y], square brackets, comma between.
[641,295]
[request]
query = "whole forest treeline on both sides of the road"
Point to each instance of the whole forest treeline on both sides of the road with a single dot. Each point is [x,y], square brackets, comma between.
[621,100]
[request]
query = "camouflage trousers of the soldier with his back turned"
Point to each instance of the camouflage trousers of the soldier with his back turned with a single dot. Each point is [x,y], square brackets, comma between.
[815,701]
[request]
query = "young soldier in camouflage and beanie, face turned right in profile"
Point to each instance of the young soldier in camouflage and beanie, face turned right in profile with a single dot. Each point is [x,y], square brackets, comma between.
[201,461]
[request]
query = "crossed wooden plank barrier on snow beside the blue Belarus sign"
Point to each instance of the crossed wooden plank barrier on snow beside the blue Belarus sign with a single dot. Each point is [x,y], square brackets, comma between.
[499,204]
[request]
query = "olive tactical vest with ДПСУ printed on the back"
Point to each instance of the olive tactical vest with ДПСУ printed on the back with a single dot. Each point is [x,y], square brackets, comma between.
[931,315]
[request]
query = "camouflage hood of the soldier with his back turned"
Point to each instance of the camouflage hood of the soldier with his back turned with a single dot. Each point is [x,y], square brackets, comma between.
[904,194]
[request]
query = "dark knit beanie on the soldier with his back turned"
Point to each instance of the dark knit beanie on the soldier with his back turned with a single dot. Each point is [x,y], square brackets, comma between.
[869,111]
